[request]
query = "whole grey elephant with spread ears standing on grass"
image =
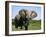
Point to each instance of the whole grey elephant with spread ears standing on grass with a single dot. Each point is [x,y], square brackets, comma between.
[23,18]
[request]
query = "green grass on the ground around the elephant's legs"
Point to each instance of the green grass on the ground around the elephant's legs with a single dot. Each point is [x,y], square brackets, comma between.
[33,25]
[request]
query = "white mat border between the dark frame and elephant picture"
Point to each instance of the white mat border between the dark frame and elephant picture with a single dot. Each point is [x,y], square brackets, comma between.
[29,31]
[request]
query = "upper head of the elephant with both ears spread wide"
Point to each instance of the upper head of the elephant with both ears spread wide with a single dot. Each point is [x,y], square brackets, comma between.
[27,13]
